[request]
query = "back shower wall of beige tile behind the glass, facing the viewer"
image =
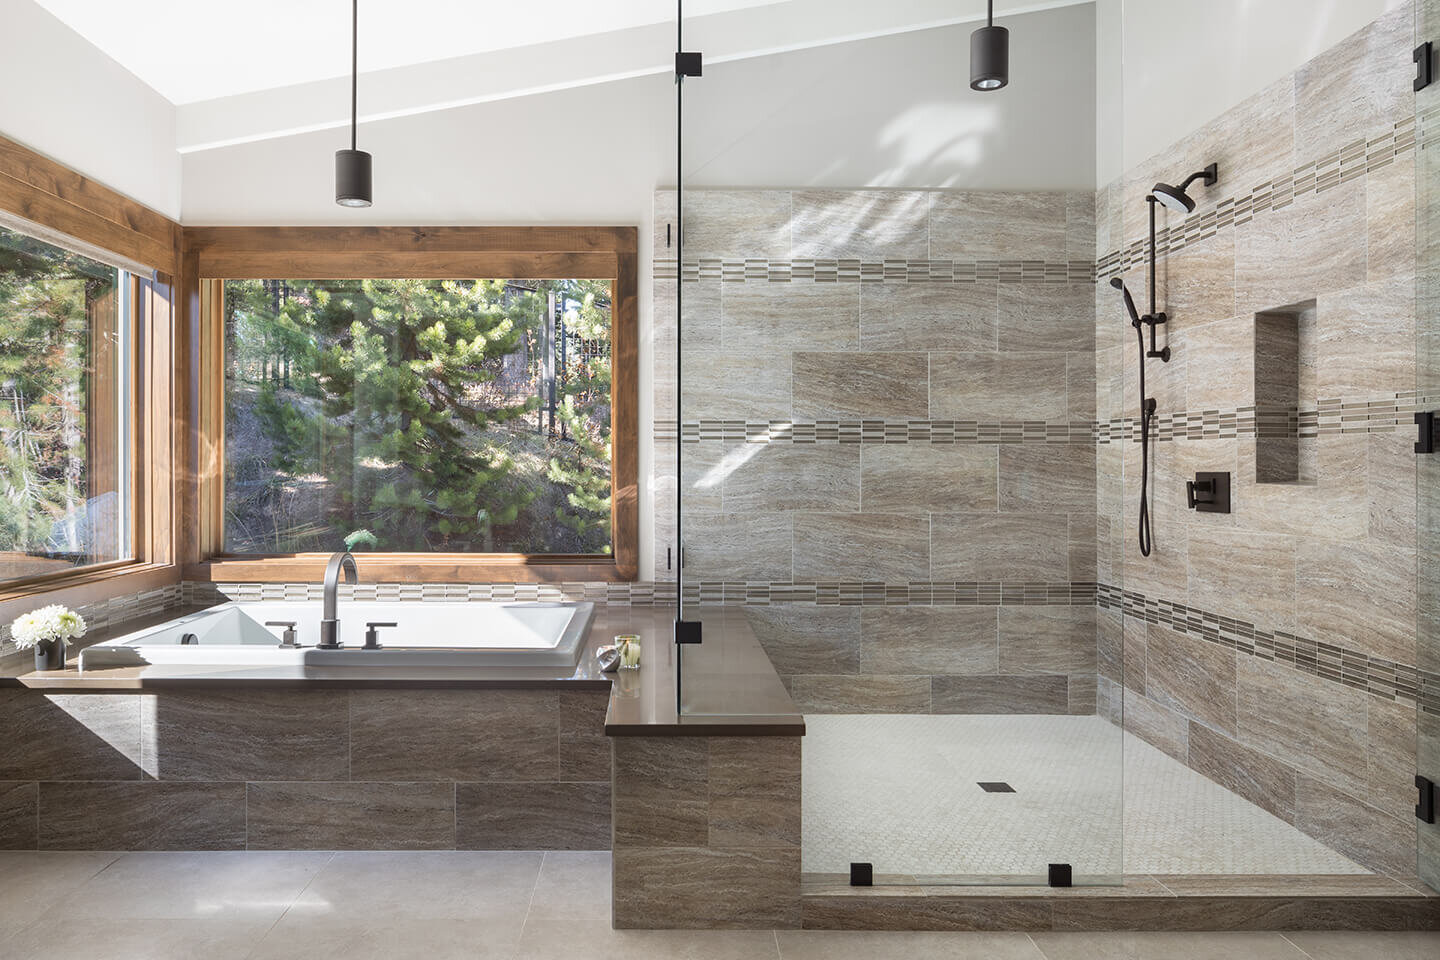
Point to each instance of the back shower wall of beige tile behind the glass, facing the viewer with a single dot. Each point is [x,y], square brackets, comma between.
[888,431]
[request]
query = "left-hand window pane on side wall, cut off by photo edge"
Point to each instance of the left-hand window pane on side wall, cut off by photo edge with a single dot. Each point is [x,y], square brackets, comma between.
[66,409]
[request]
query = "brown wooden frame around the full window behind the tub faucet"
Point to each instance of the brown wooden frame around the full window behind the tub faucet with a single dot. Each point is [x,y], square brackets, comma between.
[214,255]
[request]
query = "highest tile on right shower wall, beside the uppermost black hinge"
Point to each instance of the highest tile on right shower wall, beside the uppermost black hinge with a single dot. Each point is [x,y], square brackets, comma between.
[1356,89]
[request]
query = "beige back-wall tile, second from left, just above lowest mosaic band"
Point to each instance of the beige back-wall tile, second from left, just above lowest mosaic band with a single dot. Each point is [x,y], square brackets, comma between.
[862,548]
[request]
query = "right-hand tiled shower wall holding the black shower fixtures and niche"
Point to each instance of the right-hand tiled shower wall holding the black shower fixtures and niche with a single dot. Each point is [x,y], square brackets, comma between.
[1274,648]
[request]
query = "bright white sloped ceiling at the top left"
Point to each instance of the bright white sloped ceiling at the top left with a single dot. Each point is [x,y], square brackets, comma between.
[217,48]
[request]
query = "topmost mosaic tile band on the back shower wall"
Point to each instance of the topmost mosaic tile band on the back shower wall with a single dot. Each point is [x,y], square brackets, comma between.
[888,271]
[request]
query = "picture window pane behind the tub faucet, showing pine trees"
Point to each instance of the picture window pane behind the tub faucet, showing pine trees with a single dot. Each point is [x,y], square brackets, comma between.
[418,417]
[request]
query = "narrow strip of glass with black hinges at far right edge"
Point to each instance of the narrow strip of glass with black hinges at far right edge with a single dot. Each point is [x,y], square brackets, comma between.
[1428,467]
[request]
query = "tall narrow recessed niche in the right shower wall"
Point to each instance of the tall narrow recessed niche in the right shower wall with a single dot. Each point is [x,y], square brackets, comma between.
[1285,386]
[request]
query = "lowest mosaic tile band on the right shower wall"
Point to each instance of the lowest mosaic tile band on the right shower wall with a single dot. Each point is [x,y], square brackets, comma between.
[1327,661]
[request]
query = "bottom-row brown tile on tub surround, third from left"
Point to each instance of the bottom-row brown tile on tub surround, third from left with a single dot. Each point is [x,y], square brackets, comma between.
[351,817]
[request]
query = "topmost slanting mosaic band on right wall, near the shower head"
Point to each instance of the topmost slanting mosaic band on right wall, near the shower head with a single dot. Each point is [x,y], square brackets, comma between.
[1341,166]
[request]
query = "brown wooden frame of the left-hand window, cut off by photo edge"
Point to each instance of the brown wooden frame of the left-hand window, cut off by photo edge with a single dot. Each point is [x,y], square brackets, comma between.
[53,196]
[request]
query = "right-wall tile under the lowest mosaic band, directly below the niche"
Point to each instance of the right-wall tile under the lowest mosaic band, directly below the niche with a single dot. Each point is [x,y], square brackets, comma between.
[1313,725]
